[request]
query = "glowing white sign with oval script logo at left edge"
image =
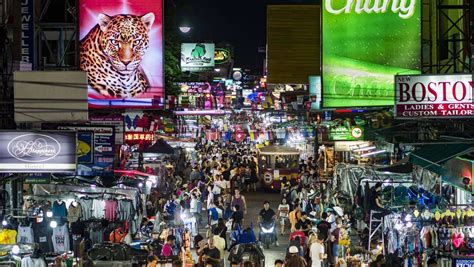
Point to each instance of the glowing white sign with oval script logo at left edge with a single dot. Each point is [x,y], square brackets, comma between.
[29,152]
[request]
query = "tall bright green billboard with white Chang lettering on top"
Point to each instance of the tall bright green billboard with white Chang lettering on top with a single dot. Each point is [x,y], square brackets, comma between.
[366,43]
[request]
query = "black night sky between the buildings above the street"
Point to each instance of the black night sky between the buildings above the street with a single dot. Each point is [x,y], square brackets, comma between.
[239,23]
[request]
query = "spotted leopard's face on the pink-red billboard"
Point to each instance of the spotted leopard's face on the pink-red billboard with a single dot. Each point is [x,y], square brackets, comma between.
[124,39]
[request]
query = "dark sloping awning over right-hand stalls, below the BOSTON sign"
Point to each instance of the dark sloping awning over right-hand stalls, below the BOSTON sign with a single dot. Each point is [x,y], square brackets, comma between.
[432,157]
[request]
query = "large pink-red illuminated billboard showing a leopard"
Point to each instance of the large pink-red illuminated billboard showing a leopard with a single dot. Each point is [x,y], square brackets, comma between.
[122,52]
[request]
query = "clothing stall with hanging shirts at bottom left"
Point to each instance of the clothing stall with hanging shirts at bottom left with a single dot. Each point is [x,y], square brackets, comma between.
[64,218]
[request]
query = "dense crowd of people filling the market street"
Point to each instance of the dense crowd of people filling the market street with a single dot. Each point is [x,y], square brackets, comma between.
[211,188]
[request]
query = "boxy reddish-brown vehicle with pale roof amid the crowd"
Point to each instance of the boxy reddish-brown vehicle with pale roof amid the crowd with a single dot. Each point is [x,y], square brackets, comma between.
[275,163]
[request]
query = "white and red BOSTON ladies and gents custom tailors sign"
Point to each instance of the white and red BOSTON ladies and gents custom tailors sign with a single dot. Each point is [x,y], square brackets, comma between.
[434,96]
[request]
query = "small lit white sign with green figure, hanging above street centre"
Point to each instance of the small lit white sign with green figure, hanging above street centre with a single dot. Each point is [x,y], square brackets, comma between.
[197,56]
